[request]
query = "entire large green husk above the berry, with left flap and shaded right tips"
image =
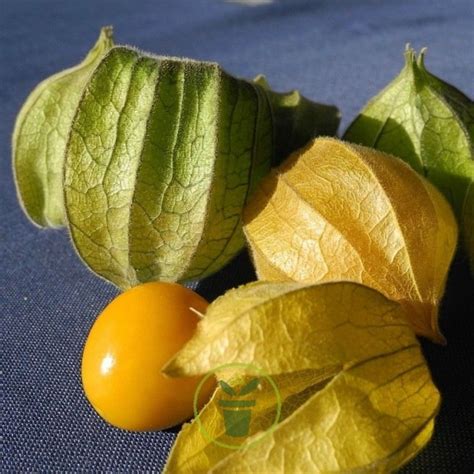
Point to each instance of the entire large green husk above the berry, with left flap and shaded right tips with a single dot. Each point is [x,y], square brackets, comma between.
[150,160]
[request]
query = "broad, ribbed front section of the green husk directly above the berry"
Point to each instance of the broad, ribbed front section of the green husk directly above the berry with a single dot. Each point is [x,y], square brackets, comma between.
[162,157]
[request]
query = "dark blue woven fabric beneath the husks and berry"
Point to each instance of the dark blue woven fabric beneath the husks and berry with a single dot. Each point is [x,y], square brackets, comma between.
[334,51]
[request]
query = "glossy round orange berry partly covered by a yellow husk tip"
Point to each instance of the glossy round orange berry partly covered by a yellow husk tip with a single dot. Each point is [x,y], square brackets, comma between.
[131,340]
